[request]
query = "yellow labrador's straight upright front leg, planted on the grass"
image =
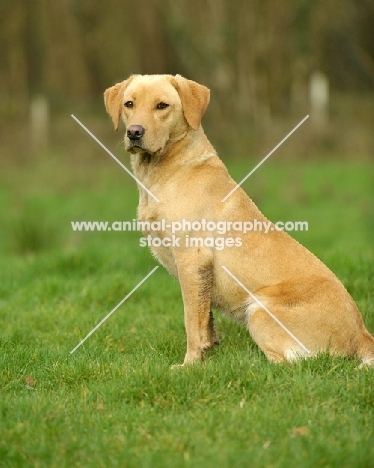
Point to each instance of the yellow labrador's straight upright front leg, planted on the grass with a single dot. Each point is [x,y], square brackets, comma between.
[195,274]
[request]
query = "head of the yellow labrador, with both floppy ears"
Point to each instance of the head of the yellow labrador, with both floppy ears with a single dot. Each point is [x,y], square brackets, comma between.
[156,110]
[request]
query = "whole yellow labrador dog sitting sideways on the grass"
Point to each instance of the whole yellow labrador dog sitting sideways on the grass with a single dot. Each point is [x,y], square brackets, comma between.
[292,304]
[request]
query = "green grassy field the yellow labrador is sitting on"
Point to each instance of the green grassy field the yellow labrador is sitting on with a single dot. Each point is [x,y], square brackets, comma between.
[115,402]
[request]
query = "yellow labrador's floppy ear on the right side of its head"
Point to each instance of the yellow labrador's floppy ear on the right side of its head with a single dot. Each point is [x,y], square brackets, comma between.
[195,100]
